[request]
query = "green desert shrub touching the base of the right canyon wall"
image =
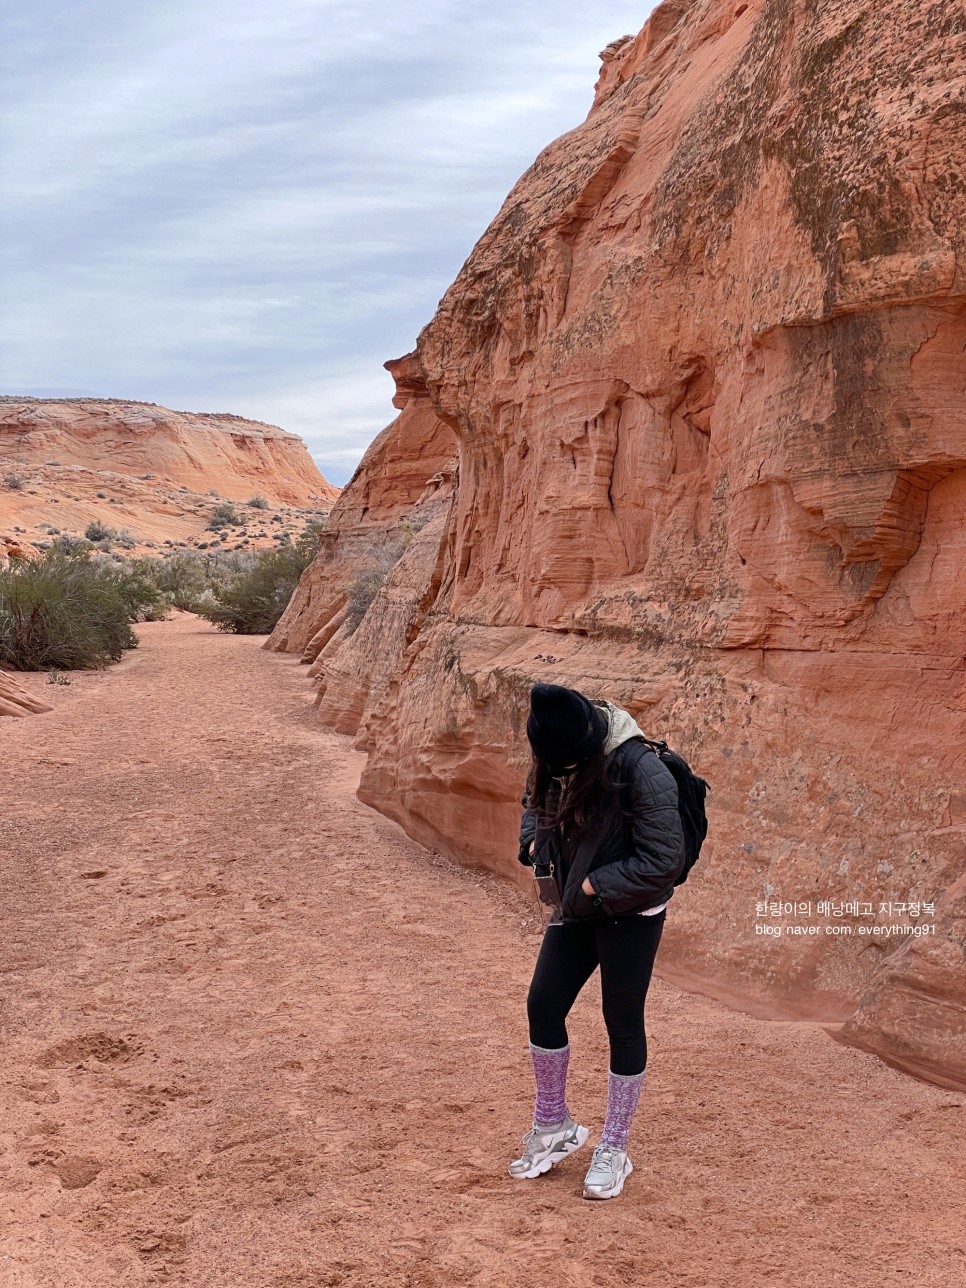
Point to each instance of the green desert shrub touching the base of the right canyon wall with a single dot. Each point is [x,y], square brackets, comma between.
[254,598]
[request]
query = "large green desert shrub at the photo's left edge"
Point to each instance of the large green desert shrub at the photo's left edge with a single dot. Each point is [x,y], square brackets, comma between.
[66,611]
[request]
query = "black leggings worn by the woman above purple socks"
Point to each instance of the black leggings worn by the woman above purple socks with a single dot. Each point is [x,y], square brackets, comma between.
[625,950]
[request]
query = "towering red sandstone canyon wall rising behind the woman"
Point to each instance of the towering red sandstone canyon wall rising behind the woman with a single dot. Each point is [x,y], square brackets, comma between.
[703,383]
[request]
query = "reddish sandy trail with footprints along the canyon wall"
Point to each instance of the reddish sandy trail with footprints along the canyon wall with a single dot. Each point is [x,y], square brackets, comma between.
[254,1036]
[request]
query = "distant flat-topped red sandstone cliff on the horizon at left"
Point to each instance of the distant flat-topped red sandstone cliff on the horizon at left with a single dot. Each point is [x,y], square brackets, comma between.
[151,472]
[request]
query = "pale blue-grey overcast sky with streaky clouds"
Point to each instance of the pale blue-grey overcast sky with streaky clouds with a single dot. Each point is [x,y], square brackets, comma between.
[230,205]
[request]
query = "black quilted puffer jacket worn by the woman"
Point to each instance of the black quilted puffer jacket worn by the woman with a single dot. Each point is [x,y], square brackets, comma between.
[632,860]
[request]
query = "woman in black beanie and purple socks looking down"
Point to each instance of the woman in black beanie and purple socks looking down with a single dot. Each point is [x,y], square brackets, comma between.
[601,815]
